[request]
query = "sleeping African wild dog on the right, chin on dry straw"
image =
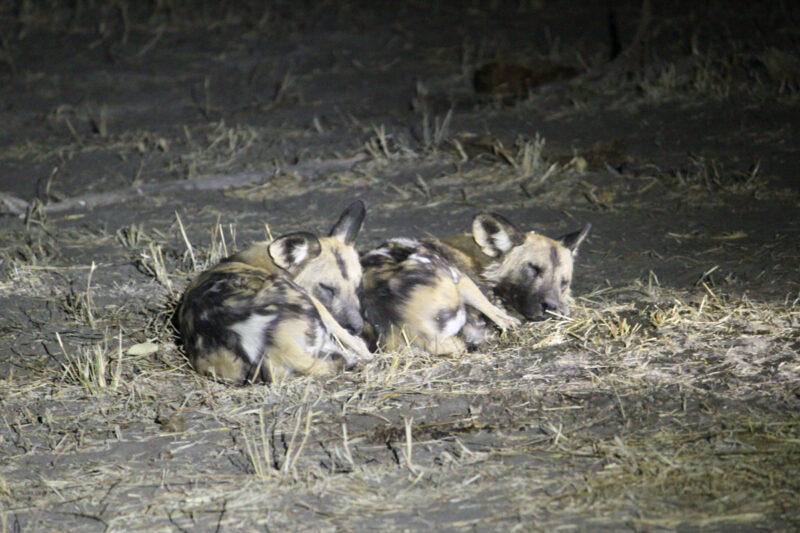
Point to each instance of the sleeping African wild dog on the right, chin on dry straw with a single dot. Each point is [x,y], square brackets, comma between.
[437,294]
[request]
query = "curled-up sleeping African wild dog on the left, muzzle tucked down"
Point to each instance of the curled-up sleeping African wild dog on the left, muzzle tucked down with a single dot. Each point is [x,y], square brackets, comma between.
[290,305]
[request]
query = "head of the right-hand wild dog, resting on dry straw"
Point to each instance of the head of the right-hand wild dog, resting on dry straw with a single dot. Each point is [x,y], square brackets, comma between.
[530,272]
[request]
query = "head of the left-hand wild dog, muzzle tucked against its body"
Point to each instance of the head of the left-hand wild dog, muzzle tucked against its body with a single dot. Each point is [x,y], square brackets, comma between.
[327,267]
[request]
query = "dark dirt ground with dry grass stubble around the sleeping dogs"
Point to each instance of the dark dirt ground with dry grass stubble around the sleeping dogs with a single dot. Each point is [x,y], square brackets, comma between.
[142,141]
